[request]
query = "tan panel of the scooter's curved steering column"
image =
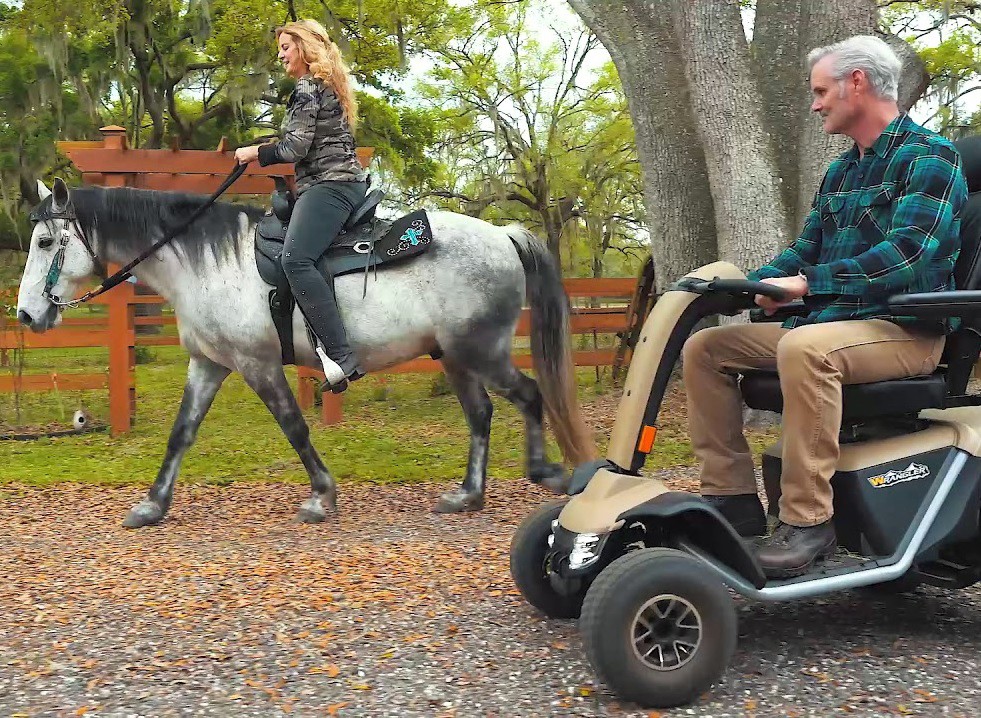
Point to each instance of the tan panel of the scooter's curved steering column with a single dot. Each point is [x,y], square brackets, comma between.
[646,359]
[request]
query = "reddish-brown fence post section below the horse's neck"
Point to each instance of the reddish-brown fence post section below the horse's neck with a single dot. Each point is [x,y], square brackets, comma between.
[122,359]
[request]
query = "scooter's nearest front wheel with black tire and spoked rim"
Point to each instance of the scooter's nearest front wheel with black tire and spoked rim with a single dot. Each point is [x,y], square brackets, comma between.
[609,616]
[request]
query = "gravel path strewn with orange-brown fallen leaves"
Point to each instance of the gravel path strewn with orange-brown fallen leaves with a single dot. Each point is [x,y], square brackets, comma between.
[229,609]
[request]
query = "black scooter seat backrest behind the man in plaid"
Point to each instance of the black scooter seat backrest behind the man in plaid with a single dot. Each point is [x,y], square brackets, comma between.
[963,346]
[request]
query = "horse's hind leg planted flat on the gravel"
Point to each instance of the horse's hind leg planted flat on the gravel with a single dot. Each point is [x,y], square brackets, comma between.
[478,410]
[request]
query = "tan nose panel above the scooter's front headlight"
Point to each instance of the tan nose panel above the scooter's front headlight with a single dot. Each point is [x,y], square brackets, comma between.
[606,496]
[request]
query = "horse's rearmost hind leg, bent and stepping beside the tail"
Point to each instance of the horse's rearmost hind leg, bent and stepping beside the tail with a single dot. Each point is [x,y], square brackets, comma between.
[522,391]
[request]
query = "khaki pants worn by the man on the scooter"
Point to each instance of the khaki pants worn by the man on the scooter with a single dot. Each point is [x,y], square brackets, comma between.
[813,362]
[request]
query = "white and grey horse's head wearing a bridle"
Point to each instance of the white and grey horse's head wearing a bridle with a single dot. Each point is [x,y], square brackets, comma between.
[58,261]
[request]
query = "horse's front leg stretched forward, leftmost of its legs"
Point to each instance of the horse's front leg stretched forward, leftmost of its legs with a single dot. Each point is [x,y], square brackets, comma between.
[204,378]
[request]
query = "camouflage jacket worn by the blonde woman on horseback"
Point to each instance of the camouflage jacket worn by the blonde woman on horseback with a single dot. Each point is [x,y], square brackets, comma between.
[316,137]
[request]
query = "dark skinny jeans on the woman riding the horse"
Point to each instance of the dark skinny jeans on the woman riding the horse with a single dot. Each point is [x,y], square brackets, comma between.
[318,217]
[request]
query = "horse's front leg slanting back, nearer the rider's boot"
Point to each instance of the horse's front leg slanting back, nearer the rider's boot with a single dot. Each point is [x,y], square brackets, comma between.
[269,382]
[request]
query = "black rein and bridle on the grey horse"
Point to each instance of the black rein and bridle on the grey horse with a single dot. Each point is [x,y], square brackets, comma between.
[69,217]
